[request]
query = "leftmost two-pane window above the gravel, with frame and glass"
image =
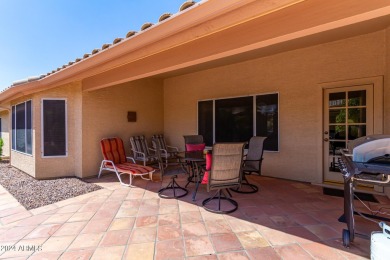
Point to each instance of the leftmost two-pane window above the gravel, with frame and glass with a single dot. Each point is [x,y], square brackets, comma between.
[22,127]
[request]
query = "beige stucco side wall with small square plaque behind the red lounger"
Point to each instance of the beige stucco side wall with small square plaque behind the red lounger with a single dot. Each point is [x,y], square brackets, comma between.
[105,115]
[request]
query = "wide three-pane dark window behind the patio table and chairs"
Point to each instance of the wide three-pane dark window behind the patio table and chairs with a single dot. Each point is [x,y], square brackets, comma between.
[238,119]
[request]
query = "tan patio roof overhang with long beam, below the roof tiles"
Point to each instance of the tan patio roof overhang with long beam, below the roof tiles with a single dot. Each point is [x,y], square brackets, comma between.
[217,33]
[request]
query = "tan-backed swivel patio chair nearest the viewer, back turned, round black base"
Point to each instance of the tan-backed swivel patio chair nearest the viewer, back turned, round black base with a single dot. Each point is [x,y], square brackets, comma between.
[225,174]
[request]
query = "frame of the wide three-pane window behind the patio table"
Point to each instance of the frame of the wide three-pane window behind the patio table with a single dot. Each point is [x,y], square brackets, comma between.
[254,114]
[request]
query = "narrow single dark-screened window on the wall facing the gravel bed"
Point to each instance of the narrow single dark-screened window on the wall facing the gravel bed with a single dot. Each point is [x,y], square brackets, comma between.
[54,132]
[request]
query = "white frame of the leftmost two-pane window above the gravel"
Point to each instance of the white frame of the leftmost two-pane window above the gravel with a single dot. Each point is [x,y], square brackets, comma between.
[13,133]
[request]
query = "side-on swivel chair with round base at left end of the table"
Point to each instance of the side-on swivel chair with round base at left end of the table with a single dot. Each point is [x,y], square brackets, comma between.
[173,189]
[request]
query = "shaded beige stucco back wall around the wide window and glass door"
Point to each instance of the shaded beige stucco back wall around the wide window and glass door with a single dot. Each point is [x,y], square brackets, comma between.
[296,75]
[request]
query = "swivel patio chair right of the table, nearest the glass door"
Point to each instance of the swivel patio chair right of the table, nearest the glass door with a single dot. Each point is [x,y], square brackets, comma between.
[252,164]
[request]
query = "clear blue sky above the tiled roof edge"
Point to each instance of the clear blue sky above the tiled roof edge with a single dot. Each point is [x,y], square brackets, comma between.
[38,36]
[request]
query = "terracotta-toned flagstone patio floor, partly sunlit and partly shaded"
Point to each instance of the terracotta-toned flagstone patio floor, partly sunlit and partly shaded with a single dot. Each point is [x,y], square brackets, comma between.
[284,220]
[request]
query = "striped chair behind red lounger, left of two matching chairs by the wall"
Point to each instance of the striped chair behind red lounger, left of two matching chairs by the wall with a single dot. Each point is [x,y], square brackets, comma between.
[141,151]
